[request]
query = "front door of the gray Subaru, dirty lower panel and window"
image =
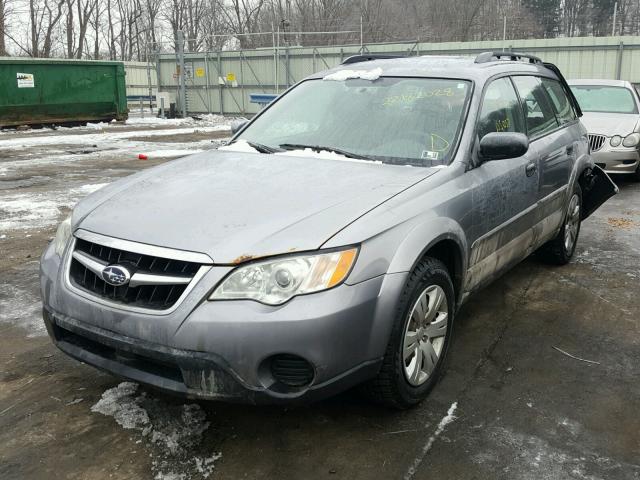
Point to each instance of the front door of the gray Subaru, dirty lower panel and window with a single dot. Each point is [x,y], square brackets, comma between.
[504,192]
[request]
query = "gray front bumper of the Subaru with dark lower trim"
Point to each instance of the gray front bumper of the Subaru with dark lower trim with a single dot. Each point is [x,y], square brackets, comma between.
[222,349]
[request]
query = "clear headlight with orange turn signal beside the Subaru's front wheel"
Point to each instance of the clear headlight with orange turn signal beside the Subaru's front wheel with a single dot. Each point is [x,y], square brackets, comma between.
[275,281]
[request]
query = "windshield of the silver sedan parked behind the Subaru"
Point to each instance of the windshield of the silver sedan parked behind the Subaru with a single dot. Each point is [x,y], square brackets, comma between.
[605,99]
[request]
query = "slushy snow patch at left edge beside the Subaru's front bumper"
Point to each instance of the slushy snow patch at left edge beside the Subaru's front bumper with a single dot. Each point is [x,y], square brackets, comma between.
[20,304]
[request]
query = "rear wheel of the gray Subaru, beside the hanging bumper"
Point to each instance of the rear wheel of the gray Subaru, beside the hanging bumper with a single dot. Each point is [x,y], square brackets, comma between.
[560,250]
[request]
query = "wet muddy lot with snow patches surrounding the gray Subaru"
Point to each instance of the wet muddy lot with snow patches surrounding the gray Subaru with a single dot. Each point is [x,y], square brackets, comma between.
[512,405]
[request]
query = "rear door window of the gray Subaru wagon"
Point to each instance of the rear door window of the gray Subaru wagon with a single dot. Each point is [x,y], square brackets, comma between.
[538,111]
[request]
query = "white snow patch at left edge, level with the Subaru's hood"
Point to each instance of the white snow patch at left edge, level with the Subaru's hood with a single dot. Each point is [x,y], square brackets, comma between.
[28,211]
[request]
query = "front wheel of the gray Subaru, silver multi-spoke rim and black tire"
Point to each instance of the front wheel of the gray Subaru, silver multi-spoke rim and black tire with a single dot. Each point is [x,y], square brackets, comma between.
[398,385]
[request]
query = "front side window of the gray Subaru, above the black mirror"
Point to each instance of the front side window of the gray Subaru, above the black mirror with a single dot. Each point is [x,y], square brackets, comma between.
[501,110]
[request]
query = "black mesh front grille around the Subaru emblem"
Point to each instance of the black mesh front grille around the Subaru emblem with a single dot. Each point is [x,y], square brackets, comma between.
[151,296]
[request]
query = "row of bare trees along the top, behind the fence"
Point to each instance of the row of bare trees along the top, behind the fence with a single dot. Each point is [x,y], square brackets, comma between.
[125,29]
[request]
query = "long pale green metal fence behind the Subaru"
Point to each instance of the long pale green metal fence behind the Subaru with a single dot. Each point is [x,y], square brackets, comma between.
[221,82]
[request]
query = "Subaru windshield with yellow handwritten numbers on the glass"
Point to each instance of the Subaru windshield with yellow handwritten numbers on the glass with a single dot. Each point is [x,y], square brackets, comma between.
[406,121]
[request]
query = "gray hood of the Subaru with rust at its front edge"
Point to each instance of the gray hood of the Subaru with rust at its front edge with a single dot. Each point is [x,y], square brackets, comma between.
[237,206]
